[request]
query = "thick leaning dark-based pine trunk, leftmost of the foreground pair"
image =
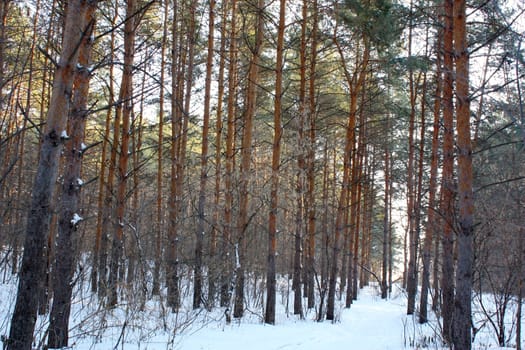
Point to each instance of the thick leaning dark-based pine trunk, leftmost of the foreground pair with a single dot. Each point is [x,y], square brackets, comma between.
[30,277]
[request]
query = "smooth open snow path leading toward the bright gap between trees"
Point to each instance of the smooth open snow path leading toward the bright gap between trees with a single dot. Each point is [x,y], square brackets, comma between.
[370,324]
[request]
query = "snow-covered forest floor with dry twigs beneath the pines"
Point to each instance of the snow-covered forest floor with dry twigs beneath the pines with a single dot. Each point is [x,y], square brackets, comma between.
[370,324]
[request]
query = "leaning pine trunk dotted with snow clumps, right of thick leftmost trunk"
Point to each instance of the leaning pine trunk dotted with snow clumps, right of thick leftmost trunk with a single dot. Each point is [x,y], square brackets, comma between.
[69,219]
